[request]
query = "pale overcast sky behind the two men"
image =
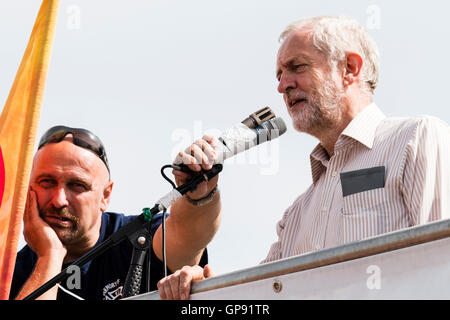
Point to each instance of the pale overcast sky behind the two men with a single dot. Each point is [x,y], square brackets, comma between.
[149,77]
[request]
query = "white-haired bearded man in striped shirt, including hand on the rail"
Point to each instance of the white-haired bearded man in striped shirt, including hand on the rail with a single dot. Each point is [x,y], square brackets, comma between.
[371,174]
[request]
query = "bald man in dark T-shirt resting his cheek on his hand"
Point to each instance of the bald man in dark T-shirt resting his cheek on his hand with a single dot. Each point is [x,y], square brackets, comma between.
[65,217]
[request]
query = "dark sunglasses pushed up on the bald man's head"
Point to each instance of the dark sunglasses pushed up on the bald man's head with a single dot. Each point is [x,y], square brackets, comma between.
[81,137]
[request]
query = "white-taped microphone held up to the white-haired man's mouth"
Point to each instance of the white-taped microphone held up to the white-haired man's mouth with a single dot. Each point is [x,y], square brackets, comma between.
[261,126]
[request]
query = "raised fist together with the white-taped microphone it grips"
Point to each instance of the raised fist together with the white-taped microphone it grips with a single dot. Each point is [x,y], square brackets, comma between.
[198,165]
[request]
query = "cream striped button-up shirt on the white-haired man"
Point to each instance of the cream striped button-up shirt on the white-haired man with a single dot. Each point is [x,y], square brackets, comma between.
[407,184]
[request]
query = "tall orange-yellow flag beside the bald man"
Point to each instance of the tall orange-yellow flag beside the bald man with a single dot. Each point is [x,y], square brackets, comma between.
[18,126]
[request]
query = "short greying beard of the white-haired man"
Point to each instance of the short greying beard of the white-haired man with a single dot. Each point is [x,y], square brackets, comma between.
[323,109]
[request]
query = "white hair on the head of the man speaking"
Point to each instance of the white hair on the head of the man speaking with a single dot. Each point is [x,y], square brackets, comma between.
[334,37]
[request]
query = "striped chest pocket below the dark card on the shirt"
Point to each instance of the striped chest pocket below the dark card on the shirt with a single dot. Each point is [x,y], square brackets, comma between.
[363,215]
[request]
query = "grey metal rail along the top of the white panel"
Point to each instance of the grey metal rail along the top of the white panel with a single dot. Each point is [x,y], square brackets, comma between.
[355,250]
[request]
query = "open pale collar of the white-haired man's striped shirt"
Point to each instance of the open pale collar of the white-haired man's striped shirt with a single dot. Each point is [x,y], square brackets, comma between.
[361,129]
